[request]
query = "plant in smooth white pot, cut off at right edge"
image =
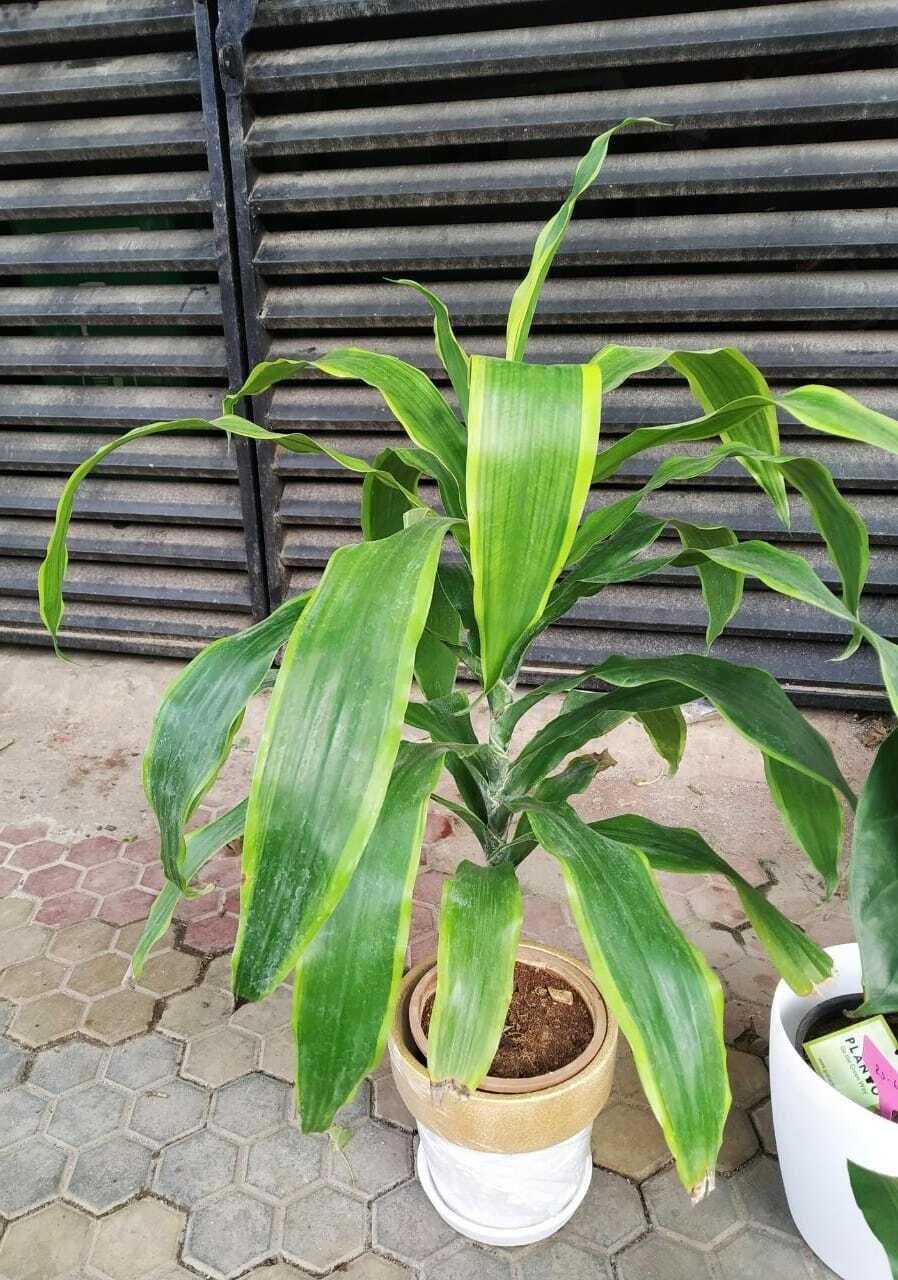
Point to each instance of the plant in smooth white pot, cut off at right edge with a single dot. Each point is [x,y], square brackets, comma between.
[840,1162]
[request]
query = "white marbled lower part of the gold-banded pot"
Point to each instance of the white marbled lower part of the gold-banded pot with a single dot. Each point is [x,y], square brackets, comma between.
[526,1196]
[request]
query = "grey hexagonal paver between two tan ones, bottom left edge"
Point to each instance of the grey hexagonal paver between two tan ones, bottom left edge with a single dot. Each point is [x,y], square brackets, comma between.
[230,1235]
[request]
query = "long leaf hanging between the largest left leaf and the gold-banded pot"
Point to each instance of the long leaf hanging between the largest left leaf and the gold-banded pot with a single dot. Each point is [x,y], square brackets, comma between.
[349,977]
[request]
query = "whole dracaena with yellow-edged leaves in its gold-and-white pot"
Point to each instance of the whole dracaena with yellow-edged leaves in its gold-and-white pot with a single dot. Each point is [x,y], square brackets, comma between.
[333,822]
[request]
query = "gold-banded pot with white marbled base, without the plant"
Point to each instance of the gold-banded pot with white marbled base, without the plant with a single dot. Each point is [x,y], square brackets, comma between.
[506,1168]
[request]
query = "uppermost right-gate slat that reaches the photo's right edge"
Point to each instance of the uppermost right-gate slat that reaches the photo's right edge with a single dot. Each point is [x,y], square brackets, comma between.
[740,33]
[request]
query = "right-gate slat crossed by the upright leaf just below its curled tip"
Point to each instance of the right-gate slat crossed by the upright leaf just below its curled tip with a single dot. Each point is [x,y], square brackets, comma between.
[469,184]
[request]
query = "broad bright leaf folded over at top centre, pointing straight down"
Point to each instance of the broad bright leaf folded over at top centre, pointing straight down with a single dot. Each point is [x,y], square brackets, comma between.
[533,437]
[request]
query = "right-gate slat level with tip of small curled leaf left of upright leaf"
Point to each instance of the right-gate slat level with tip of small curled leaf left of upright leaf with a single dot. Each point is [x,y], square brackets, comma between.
[824,296]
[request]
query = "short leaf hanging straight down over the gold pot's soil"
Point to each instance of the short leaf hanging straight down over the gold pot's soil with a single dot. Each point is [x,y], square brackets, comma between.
[480,929]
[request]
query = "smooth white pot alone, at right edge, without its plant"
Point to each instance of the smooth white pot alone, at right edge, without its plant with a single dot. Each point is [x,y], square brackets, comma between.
[818,1131]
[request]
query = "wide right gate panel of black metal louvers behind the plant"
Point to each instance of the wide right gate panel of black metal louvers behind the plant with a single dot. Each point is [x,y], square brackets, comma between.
[434,139]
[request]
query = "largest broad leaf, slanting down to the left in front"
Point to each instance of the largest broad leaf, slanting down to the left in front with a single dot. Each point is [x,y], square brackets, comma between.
[329,744]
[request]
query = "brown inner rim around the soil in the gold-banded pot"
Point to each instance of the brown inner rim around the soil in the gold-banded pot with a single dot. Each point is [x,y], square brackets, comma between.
[529,954]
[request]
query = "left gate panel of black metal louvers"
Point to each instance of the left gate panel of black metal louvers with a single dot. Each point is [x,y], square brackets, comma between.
[116,312]
